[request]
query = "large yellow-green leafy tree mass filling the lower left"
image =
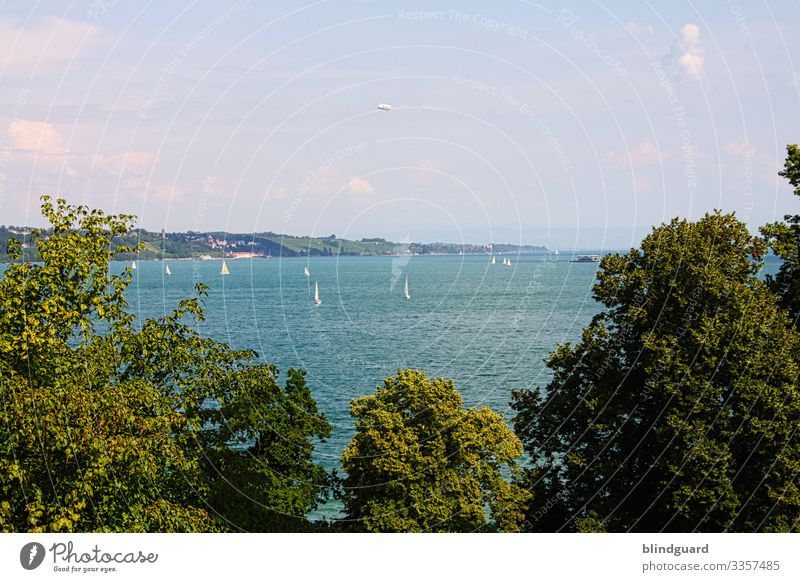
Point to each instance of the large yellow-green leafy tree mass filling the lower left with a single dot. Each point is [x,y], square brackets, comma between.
[111,425]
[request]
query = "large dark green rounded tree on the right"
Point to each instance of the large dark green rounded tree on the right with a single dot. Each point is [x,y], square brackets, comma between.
[678,409]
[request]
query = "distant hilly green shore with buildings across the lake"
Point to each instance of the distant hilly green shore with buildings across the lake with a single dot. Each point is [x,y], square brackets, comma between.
[185,245]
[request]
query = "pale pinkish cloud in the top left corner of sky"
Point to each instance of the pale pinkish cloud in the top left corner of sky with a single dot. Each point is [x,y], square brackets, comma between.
[51,42]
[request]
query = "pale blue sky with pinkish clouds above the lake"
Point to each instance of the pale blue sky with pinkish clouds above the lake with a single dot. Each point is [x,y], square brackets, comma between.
[573,124]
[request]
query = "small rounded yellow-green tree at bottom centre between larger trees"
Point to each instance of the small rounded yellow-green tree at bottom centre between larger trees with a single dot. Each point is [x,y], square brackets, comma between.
[420,462]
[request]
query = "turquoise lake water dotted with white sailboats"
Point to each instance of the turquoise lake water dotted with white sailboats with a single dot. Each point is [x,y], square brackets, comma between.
[486,326]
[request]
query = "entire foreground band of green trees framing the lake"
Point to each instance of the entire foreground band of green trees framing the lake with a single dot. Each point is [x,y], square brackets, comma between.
[676,411]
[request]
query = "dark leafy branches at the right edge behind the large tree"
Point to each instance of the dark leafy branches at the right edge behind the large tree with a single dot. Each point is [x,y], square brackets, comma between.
[784,240]
